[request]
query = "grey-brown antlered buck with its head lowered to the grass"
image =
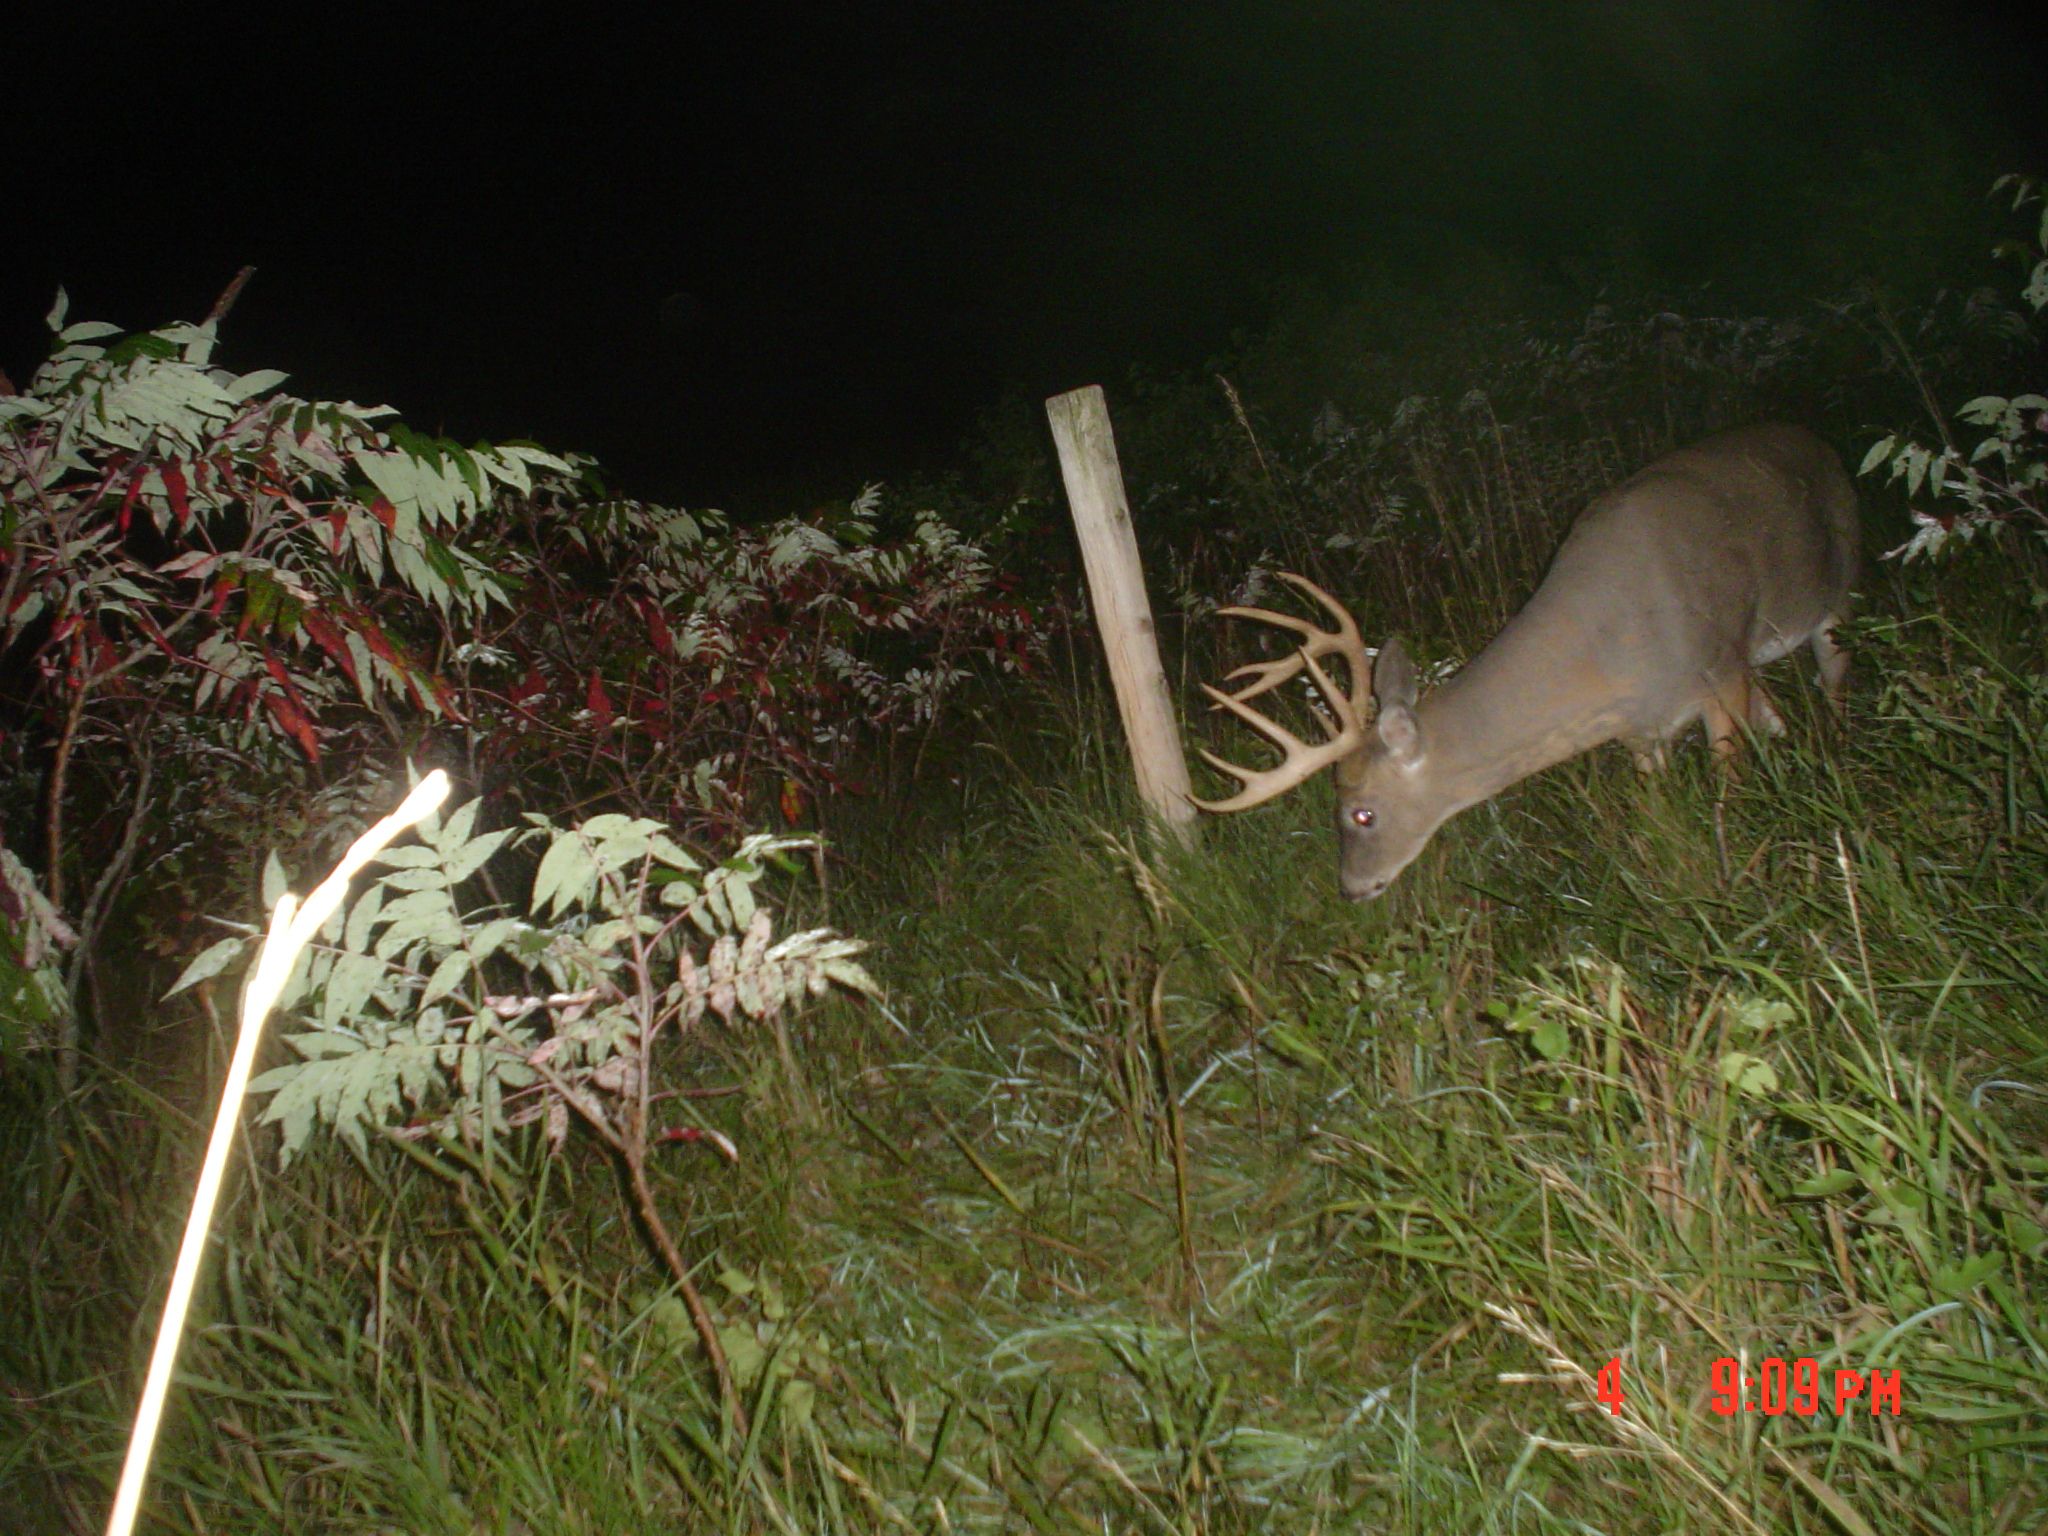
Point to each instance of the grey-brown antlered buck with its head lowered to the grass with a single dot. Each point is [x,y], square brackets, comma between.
[1664,599]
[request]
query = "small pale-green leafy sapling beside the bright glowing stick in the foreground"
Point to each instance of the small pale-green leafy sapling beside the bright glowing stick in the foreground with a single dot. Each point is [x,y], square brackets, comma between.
[429,1021]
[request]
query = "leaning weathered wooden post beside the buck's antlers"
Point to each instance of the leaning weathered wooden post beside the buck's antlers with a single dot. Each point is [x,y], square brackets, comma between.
[1117,593]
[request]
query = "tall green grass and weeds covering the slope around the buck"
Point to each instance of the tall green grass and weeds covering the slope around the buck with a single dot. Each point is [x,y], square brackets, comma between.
[1164,1191]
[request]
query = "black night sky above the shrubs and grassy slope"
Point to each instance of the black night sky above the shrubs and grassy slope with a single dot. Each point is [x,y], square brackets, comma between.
[749,247]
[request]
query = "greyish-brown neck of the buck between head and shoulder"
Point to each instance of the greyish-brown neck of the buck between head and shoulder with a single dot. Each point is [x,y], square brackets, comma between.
[1533,699]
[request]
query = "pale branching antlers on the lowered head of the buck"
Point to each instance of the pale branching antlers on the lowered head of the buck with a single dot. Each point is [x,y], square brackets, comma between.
[1302,761]
